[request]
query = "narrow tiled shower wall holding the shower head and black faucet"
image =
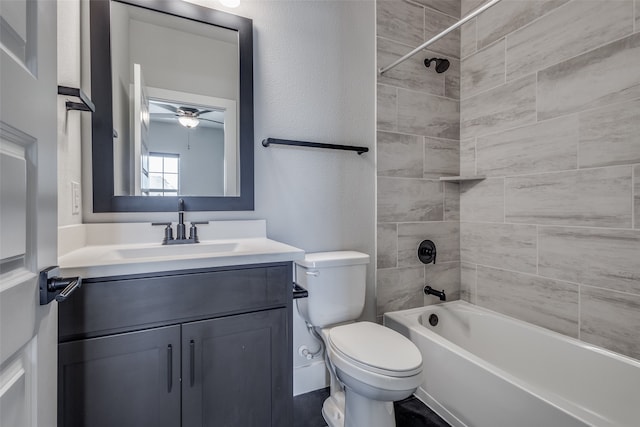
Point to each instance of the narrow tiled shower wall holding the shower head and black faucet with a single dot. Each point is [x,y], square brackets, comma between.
[418,130]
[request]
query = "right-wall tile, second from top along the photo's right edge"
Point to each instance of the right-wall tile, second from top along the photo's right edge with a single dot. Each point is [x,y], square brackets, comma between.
[602,76]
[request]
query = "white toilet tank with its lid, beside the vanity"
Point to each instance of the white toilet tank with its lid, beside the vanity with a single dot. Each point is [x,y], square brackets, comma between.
[336,283]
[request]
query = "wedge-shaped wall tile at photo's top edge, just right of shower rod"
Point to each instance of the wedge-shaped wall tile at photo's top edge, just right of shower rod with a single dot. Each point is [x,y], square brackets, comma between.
[510,15]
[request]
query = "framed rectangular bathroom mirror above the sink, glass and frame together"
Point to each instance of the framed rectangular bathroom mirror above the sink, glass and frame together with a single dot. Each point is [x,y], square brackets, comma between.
[173,87]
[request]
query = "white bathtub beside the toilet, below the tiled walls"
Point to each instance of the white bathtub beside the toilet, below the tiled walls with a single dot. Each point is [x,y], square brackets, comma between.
[483,369]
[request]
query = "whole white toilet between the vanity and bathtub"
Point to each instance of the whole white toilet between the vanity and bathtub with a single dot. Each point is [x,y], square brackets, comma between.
[375,364]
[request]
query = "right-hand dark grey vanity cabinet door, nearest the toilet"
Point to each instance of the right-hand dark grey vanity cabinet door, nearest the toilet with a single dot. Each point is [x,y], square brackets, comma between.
[235,371]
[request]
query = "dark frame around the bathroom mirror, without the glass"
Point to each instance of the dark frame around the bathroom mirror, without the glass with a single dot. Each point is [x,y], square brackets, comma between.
[104,199]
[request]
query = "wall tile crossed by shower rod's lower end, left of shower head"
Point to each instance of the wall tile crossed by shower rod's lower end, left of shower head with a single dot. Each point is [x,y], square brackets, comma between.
[411,74]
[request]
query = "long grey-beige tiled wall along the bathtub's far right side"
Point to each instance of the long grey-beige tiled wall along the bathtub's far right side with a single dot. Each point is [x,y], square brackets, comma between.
[550,113]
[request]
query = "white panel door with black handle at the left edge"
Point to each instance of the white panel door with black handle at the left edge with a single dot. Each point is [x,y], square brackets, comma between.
[28,211]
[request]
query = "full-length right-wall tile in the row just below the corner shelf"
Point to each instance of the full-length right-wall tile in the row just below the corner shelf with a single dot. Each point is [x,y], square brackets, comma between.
[593,197]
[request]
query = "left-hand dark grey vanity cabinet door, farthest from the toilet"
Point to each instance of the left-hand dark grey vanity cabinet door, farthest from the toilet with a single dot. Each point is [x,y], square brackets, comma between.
[126,380]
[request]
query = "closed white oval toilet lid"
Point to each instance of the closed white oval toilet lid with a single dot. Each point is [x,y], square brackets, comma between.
[376,346]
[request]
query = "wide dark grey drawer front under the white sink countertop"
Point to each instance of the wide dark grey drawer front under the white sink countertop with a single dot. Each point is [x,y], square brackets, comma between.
[118,305]
